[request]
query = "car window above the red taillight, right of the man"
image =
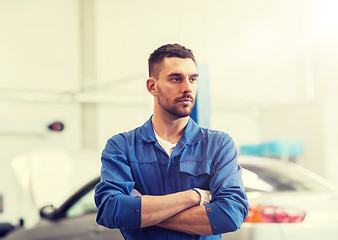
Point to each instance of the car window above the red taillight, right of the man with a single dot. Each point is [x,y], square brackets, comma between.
[273,178]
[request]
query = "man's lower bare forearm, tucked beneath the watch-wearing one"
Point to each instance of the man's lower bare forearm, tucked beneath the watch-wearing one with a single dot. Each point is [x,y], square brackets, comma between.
[193,221]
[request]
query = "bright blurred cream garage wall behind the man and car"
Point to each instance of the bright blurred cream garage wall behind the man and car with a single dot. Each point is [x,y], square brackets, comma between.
[270,73]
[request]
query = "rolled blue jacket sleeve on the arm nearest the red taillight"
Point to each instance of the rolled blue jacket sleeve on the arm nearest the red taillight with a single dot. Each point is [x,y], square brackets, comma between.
[229,206]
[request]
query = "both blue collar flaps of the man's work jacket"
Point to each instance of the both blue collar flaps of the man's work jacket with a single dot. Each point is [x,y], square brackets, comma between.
[192,132]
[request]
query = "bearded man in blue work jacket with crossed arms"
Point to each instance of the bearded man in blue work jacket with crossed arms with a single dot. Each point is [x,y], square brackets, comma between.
[157,179]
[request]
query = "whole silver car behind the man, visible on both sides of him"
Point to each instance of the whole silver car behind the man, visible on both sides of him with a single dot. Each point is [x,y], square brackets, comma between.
[287,202]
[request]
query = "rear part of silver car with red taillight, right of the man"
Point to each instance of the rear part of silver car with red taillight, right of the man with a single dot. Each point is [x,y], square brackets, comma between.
[287,202]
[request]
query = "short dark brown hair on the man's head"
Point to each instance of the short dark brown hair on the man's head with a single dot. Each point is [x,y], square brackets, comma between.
[168,50]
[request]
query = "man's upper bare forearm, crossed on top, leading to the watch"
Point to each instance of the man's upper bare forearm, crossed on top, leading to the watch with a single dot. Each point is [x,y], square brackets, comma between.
[155,209]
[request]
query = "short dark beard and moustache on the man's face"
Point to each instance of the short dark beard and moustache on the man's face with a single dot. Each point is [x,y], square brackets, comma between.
[175,108]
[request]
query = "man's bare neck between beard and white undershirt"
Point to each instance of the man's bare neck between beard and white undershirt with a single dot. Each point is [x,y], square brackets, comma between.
[169,128]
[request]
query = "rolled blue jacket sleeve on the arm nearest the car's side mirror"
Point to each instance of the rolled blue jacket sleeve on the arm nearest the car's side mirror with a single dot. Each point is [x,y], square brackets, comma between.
[116,207]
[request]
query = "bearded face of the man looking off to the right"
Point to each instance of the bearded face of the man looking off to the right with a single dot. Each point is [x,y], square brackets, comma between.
[177,86]
